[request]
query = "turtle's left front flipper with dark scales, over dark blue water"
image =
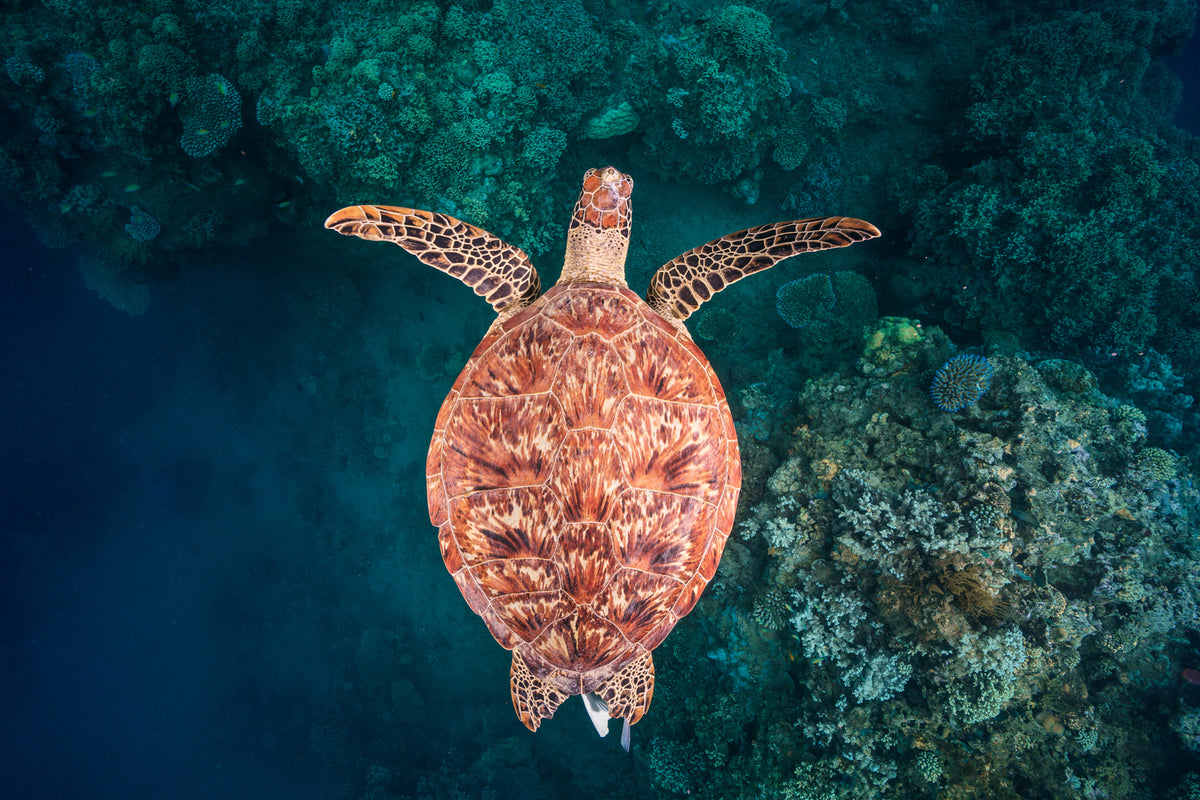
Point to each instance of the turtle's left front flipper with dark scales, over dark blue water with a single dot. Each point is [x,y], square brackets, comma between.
[496,270]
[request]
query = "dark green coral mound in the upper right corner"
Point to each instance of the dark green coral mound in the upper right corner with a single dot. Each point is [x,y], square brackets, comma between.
[1022,207]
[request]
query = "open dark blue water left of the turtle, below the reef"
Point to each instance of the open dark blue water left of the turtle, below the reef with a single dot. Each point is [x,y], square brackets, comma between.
[211,587]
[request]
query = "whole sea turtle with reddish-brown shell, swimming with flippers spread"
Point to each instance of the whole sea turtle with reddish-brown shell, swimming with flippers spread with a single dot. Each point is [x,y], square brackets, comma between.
[584,471]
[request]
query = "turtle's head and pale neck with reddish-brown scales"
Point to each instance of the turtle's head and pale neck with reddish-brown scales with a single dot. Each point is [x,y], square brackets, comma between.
[598,238]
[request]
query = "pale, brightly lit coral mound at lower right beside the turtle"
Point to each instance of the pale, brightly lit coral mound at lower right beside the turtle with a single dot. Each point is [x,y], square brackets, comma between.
[975,601]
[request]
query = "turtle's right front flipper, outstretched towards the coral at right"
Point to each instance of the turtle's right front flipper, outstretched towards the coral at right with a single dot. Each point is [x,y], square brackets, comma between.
[685,284]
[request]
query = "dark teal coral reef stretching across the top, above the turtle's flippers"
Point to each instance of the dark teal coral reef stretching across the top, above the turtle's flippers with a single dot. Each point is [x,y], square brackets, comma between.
[1072,212]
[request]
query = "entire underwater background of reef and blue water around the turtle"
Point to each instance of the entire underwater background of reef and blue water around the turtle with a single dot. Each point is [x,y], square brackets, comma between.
[217,568]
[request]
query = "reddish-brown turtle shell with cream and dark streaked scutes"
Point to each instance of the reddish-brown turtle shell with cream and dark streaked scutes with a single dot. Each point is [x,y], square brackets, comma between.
[584,476]
